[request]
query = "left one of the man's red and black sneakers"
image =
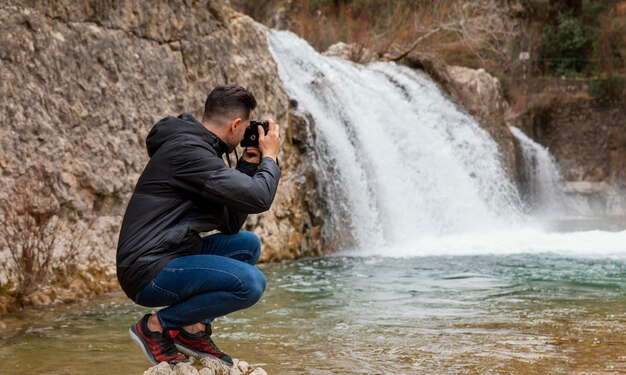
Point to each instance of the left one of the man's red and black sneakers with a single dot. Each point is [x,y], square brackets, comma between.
[158,347]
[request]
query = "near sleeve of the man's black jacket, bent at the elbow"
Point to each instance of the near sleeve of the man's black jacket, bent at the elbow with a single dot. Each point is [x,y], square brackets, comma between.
[196,170]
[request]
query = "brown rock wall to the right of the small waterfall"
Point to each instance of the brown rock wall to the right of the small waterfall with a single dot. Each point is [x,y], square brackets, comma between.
[587,138]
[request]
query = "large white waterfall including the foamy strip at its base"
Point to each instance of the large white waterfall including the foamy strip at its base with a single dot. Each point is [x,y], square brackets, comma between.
[418,175]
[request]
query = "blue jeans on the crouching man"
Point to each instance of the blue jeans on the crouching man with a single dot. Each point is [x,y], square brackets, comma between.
[199,288]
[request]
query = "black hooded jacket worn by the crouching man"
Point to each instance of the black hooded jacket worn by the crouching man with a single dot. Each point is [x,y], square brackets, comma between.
[186,189]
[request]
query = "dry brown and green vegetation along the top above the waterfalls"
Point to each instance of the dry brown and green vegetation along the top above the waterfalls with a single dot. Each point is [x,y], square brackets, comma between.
[571,38]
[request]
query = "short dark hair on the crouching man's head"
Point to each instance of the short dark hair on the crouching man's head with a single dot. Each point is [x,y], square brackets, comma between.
[227,102]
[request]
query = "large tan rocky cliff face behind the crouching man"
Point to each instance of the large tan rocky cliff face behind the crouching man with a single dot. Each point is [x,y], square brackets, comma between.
[82,82]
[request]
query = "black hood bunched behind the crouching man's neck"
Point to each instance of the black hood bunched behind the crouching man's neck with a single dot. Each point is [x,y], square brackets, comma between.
[172,127]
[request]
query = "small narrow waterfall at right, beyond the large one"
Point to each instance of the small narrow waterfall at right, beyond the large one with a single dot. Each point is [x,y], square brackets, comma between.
[543,185]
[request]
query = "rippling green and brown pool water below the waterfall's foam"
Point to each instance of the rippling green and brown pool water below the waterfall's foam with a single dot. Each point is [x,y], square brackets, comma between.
[539,313]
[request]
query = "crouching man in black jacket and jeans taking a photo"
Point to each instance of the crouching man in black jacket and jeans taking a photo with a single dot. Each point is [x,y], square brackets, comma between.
[186,189]
